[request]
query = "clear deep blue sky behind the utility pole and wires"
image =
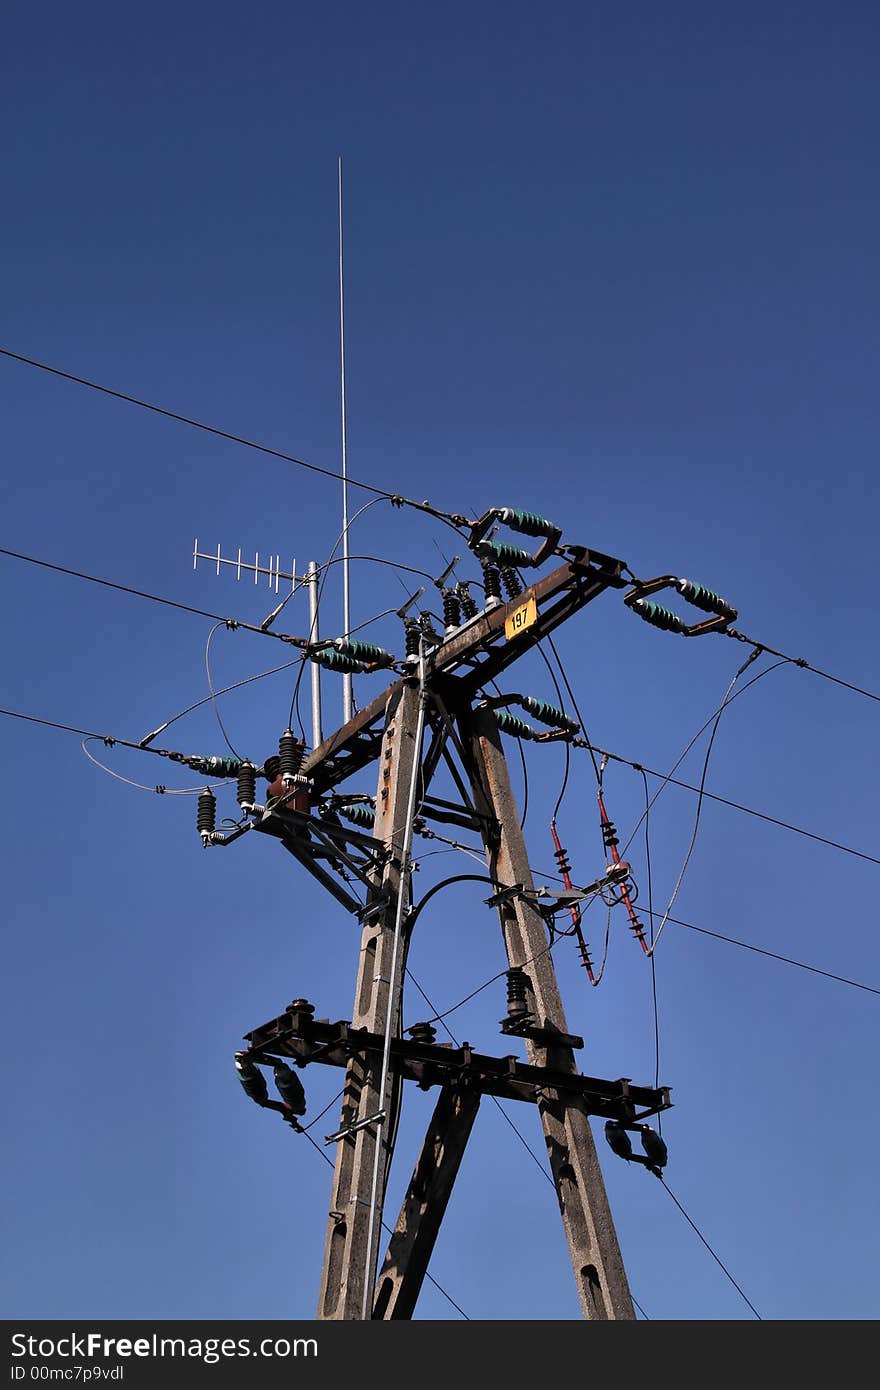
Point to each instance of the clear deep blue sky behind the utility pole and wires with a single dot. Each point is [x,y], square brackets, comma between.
[618,265]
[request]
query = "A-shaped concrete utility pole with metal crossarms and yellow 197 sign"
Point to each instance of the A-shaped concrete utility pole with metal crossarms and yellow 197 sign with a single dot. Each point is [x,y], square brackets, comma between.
[440,693]
